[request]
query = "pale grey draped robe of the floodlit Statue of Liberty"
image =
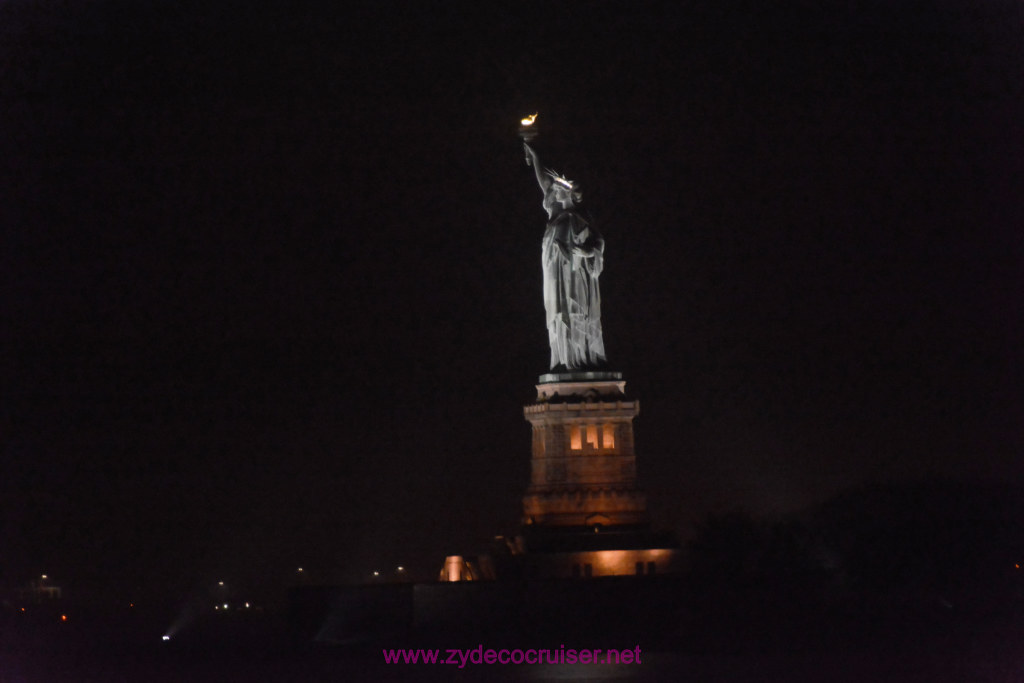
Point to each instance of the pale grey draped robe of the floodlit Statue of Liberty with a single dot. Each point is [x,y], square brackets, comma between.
[572,296]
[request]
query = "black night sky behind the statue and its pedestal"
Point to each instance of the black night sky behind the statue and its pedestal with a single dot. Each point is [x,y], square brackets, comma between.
[271,278]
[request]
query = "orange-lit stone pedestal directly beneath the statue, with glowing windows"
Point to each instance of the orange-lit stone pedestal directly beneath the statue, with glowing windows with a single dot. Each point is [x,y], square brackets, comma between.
[584,465]
